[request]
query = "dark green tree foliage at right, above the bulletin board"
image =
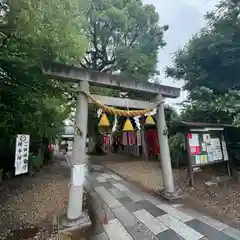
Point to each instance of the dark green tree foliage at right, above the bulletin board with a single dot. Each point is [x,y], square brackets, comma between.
[209,65]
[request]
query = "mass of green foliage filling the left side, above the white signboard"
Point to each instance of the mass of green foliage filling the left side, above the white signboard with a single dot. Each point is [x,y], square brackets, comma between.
[32,32]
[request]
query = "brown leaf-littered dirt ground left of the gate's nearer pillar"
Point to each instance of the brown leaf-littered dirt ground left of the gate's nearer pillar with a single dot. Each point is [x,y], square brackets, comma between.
[29,206]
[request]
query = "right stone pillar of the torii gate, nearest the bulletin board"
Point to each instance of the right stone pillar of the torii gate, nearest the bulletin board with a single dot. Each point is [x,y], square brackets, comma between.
[164,148]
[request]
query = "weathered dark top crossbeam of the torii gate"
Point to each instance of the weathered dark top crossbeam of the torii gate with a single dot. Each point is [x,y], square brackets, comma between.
[76,74]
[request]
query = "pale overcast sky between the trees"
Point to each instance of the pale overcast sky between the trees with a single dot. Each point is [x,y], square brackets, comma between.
[184,17]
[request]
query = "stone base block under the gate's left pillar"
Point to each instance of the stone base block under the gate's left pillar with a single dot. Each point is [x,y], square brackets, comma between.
[67,225]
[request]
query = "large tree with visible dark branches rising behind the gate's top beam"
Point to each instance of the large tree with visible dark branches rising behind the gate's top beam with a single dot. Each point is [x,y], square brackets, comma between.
[123,35]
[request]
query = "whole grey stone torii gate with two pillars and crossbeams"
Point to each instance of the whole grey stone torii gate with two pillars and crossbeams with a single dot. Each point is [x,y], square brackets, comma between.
[151,91]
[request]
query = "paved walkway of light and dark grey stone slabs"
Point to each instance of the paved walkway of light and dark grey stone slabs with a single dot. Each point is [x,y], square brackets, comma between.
[124,212]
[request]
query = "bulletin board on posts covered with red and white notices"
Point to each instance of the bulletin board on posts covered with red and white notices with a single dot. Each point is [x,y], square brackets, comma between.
[206,148]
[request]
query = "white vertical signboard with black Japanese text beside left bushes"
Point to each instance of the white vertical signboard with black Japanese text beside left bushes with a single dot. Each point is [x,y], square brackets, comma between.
[21,154]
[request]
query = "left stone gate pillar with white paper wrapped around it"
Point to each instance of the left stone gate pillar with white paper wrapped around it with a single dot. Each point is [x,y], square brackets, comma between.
[79,158]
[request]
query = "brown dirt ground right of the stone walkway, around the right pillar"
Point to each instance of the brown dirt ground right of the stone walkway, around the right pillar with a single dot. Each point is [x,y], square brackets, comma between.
[220,200]
